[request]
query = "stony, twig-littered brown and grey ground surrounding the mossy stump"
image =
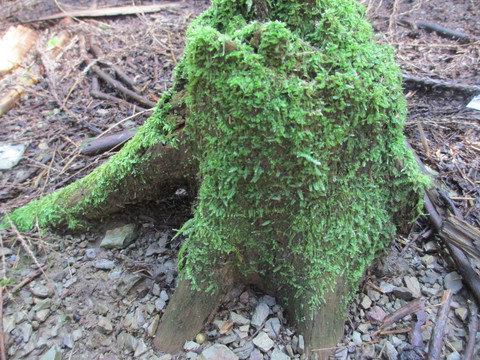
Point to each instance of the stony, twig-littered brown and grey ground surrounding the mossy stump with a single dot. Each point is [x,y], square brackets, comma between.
[101,300]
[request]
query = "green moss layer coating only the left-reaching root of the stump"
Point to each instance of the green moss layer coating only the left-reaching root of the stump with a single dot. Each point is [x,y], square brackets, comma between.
[68,206]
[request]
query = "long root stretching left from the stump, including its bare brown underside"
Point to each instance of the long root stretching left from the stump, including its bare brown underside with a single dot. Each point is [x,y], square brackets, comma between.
[156,174]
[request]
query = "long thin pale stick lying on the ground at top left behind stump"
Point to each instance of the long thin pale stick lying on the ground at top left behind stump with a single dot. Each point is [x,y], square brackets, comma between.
[113,11]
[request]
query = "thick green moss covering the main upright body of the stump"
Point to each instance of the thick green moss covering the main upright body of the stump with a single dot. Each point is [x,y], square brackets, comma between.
[296,119]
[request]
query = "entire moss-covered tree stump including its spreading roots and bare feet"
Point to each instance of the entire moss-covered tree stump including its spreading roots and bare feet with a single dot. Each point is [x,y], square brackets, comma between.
[289,118]
